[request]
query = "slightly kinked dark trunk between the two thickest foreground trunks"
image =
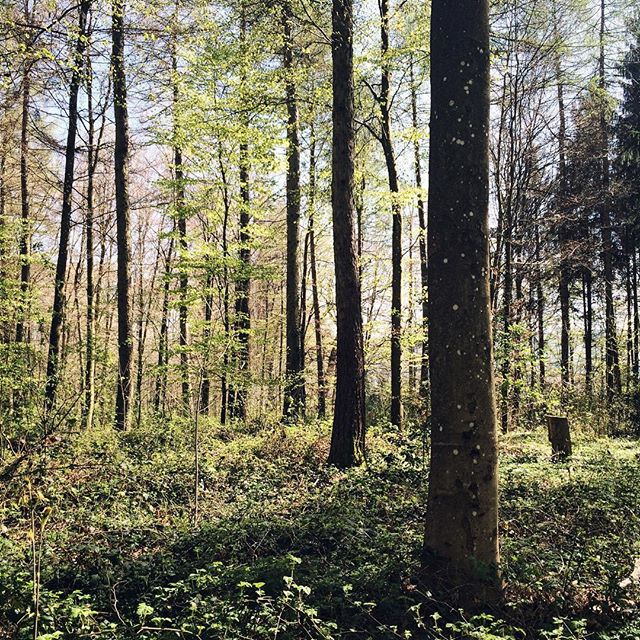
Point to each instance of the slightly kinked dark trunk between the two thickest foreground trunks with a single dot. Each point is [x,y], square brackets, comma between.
[396,218]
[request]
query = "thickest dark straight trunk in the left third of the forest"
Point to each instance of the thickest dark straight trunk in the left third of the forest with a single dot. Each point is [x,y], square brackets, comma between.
[121,166]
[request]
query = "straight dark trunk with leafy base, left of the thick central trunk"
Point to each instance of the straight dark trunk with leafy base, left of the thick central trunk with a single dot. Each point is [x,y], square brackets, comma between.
[294,396]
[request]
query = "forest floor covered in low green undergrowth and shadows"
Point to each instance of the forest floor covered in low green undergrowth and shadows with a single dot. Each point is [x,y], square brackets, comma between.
[104,532]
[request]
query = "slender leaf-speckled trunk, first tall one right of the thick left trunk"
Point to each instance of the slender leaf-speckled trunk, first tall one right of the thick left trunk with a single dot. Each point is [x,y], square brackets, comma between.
[181,217]
